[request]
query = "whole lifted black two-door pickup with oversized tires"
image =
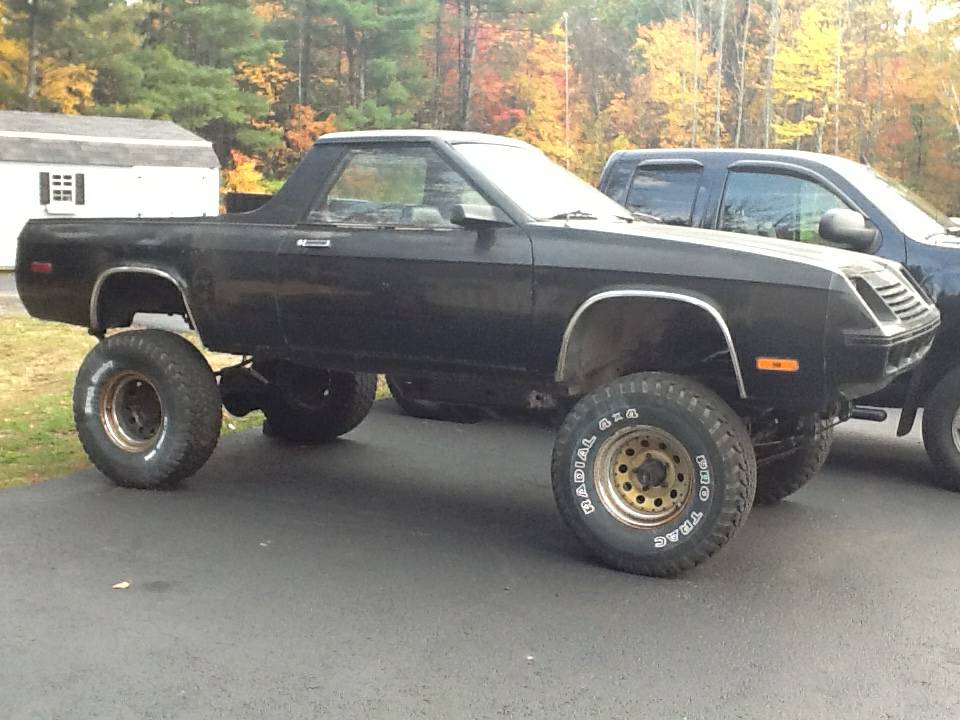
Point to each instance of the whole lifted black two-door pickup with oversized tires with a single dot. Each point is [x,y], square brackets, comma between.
[491,275]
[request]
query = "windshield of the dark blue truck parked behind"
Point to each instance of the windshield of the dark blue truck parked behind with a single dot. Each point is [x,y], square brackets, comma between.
[913,215]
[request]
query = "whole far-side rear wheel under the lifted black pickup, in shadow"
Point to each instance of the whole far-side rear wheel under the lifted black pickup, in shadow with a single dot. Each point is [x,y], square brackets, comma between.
[311,405]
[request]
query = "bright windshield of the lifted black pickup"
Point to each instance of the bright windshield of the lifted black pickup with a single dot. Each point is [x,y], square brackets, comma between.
[543,189]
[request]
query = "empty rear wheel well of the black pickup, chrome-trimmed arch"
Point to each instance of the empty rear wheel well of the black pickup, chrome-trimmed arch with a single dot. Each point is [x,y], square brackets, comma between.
[120,296]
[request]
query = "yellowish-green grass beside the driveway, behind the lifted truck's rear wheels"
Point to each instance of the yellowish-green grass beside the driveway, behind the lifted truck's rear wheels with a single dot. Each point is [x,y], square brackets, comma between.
[38,361]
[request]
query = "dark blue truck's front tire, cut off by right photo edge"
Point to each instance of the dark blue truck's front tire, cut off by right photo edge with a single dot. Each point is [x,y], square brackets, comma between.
[940,437]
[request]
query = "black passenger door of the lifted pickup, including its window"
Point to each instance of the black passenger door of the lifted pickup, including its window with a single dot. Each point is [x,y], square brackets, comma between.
[376,271]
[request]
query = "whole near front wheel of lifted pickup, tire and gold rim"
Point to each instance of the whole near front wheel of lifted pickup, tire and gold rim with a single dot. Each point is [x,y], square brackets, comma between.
[654,473]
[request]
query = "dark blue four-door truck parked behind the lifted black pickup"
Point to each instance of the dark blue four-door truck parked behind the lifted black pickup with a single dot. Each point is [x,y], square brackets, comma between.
[816,198]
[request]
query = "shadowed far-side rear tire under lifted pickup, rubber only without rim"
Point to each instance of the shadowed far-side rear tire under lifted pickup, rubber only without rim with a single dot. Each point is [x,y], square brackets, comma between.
[350,397]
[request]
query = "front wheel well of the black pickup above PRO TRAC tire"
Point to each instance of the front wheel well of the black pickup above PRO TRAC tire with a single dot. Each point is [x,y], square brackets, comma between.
[623,335]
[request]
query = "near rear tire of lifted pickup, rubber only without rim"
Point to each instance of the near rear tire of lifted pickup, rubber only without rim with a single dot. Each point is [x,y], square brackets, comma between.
[191,412]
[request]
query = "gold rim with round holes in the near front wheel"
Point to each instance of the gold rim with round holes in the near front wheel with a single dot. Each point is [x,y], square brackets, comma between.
[644,476]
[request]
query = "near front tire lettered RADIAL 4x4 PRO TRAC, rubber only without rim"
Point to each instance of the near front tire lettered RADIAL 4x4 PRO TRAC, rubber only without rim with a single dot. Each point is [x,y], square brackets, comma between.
[706,429]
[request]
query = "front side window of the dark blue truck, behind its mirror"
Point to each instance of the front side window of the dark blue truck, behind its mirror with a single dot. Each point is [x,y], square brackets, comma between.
[776,205]
